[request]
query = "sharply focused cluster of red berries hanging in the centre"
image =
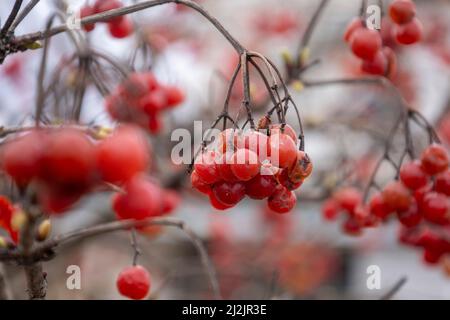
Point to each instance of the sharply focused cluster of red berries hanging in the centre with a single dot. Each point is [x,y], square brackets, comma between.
[254,164]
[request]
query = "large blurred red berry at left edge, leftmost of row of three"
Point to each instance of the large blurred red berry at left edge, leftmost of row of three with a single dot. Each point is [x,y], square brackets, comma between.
[21,156]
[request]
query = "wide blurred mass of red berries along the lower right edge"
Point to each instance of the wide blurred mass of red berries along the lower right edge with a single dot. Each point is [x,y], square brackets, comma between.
[421,197]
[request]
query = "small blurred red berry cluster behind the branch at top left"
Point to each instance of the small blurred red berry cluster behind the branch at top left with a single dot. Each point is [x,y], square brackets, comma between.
[119,27]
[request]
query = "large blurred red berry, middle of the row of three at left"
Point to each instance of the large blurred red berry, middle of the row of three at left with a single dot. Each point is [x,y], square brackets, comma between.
[69,158]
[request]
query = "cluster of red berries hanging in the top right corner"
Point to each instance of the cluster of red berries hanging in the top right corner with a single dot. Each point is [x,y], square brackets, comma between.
[367,44]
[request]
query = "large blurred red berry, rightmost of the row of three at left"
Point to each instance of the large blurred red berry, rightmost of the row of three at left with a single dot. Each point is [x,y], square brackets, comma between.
[123,155]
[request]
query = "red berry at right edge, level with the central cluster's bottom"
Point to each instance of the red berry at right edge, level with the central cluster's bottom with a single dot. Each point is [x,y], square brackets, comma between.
[435,207]
